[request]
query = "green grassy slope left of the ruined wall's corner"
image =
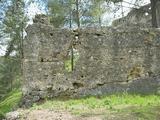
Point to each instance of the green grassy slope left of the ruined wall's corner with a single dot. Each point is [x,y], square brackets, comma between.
[10,102]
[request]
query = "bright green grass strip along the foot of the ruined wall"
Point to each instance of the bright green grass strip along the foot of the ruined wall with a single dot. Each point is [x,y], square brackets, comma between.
[144,107]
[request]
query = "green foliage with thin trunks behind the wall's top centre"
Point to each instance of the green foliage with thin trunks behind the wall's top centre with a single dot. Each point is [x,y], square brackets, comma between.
[74,12]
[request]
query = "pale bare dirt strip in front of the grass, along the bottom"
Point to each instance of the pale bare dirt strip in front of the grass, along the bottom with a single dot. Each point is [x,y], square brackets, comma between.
[62,115]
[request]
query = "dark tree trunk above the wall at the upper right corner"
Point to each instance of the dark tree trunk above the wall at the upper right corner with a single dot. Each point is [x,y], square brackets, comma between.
[153,12]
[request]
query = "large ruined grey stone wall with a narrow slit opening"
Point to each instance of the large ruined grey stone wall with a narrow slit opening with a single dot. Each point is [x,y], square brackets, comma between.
[109,61]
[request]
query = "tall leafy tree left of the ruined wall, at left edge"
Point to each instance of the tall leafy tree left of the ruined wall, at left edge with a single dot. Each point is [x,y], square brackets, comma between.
[13,24]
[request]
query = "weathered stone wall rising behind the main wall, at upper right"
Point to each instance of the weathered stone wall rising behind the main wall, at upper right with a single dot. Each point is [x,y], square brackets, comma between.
[138,16]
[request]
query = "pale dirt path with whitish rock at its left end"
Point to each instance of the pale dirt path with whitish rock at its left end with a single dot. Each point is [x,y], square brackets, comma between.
[58,115]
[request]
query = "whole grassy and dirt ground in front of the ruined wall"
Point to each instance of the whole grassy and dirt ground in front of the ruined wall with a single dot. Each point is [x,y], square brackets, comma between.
[113,107]
